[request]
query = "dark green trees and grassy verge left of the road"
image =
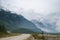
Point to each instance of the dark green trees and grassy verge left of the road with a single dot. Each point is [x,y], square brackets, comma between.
[4,33]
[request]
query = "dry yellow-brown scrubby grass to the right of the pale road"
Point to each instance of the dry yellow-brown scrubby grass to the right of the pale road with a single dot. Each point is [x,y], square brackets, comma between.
[46,36]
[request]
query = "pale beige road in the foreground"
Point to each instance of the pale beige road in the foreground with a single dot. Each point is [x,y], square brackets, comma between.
[20,37]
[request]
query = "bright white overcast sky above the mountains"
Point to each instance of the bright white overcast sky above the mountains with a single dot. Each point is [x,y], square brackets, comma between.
[32,9]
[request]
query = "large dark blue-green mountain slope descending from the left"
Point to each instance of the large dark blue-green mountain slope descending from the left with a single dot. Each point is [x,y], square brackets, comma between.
[17,23]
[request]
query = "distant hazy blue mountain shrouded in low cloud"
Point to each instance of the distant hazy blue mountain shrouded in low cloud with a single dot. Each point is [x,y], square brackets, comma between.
[50,23]
